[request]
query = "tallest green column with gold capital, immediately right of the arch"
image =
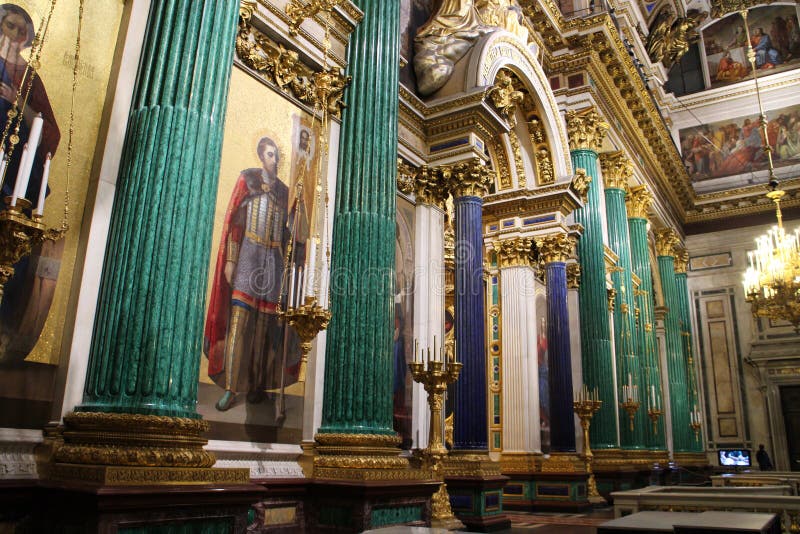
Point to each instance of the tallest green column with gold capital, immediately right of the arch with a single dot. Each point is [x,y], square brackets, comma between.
[586,131]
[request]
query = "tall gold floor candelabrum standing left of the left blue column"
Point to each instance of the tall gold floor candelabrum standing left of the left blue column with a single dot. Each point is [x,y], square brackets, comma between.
[435,377]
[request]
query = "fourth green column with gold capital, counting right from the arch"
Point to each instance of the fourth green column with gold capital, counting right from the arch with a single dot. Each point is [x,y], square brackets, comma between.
[682,434]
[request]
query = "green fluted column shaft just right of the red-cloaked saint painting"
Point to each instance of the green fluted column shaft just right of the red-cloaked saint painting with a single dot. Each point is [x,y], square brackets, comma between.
[358,358]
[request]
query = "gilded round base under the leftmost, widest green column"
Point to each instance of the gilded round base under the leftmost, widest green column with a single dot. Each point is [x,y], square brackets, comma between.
[94,438]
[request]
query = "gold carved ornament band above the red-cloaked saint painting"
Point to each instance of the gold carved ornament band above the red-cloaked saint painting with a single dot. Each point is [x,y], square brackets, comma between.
[284,69]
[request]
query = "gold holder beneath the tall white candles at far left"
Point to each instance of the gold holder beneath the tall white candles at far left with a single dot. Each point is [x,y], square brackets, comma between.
[18,234]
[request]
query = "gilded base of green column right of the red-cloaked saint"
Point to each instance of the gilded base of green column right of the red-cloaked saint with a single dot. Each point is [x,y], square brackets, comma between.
[363,457]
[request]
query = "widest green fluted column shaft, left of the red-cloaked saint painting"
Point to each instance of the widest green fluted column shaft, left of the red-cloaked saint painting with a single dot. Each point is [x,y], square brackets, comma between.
[148,330]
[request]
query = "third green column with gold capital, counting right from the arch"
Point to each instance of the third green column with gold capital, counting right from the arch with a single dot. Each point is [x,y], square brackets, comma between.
[638,203]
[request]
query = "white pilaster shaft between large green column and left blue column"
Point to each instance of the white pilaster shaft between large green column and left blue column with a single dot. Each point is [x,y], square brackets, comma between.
[428,302]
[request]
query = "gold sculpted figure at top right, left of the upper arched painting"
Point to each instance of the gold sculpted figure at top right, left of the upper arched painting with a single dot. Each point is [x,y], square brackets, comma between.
[672,36]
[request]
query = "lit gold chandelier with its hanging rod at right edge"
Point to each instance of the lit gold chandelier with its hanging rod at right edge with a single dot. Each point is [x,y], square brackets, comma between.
[772,281]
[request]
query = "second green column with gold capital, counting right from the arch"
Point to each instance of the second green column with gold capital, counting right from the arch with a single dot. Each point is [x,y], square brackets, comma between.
[617,173]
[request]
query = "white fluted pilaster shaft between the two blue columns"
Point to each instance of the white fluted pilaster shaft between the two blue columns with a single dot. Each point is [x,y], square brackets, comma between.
[521,428]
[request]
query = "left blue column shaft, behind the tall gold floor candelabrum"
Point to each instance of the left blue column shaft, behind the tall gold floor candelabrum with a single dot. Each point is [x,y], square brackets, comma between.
[469,425]
